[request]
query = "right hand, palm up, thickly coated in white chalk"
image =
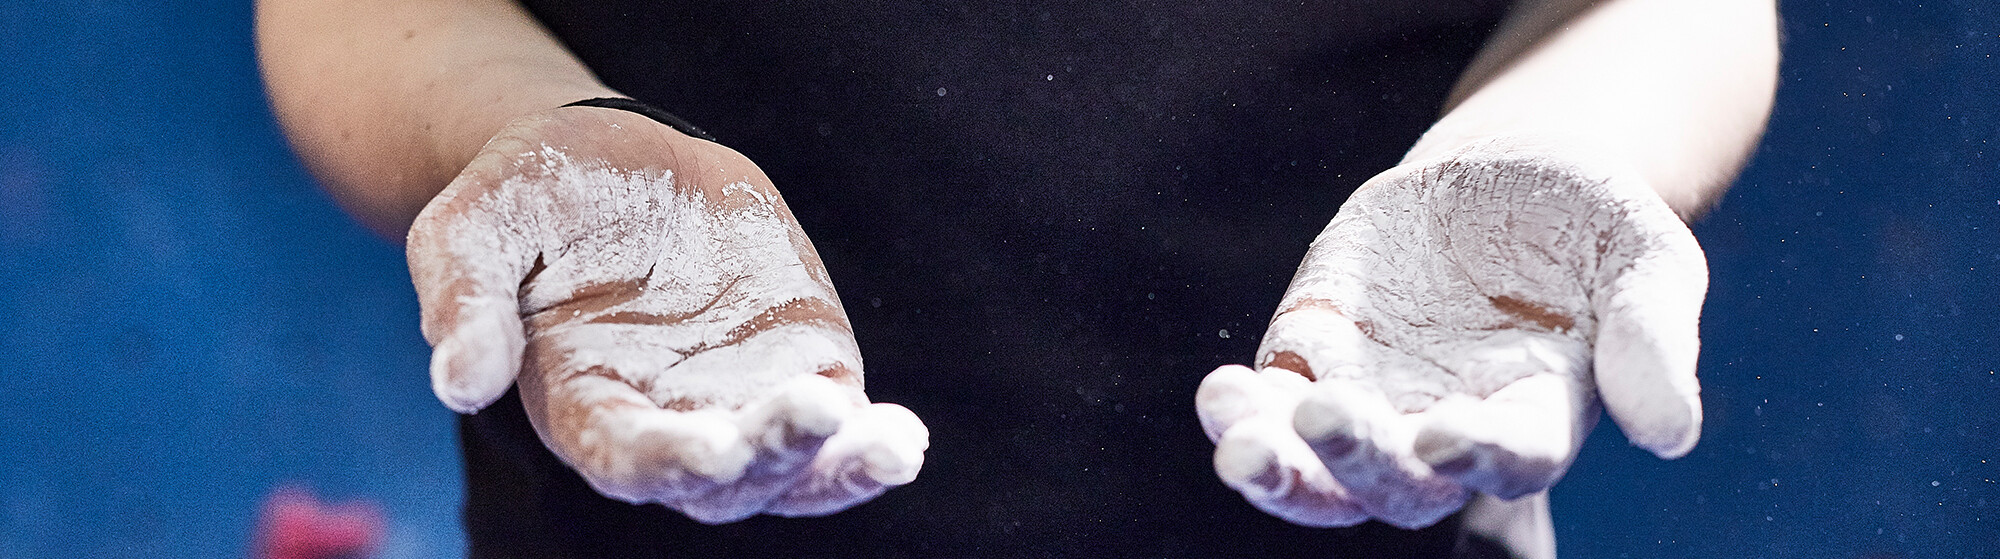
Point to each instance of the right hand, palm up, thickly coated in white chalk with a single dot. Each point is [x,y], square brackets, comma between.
[1455,328]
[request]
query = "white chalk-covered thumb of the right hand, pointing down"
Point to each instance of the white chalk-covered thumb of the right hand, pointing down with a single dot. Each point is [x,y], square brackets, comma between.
[1649,308]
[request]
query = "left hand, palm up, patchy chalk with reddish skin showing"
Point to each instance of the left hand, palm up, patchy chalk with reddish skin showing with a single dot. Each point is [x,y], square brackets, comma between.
[671,328]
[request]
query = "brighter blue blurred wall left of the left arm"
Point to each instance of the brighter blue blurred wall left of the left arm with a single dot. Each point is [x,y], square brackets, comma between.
[185,318]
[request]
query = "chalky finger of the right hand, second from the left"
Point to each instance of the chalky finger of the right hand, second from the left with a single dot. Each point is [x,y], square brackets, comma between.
[1263,460]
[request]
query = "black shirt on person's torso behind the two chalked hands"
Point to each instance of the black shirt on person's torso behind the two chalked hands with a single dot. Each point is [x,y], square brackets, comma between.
[1047,223]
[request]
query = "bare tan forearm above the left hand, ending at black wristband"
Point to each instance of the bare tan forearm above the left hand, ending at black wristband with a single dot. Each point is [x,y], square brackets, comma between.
[387,101]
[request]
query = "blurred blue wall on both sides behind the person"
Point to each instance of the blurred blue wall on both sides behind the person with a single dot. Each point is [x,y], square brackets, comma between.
[187,322]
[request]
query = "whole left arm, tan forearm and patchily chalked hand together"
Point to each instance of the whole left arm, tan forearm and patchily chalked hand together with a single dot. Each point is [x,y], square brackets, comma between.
[713,374]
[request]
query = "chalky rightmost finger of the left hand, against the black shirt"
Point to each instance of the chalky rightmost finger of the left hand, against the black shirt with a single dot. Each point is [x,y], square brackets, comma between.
[879,448]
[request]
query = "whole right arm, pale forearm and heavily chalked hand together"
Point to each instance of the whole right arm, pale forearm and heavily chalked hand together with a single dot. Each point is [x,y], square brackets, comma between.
[1453,334]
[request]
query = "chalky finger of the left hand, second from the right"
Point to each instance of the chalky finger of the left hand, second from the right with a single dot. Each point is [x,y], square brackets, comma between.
[785,434]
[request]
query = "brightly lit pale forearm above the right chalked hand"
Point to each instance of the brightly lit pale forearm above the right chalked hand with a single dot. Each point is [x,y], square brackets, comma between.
[1673,89]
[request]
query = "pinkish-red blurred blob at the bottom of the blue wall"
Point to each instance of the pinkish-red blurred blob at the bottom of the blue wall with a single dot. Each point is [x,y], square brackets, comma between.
[297,526]
